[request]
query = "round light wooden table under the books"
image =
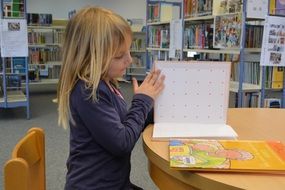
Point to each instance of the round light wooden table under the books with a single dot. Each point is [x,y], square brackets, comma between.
[250,124]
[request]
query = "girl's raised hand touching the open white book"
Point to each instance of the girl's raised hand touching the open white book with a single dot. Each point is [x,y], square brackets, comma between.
[152,85]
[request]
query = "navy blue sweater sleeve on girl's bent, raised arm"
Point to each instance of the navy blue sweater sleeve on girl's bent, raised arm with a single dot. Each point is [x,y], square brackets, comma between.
[104,123]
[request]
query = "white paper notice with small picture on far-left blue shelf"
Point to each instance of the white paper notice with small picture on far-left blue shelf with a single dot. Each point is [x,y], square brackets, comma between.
[14,38]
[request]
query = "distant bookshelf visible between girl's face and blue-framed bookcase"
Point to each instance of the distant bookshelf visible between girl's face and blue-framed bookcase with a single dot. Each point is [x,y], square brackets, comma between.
[138,52]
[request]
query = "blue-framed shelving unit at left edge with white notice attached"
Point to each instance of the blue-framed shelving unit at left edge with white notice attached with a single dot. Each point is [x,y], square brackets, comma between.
[14,64]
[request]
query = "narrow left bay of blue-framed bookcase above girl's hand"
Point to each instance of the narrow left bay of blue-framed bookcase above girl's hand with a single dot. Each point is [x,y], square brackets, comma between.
[159,15]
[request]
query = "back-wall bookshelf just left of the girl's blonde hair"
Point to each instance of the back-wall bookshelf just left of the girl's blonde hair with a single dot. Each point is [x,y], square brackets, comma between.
[45,47]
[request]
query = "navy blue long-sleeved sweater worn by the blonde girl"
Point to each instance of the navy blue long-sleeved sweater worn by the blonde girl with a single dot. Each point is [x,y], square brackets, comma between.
[102,138]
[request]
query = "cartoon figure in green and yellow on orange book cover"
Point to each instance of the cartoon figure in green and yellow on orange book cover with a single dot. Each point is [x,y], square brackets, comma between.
[206,154]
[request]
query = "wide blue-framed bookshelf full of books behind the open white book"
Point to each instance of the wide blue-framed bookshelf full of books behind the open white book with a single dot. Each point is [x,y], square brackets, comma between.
[218,30]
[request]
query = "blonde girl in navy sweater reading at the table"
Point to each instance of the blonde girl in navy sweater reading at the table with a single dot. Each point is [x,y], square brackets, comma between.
[102,131]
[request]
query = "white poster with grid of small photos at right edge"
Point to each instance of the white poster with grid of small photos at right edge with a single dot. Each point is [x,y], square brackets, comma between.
[273,43]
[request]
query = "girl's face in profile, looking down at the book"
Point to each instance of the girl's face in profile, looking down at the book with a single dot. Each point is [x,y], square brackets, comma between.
[121,61]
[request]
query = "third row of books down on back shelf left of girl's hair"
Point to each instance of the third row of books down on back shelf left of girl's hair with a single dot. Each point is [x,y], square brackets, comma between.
[43,55]
